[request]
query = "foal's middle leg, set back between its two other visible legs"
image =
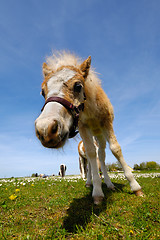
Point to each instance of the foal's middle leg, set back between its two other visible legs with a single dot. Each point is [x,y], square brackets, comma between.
[101,154]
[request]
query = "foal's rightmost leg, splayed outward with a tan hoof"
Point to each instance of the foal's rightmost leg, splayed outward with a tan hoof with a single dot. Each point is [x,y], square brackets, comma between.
[117,152]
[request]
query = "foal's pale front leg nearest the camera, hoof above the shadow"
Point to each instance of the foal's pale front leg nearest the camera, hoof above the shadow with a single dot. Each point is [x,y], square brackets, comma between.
[91,156]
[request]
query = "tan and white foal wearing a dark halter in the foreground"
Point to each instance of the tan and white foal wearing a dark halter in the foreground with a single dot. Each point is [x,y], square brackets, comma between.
[74,97]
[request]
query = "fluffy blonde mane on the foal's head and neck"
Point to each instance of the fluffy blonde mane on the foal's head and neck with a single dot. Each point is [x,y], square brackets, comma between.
[63,58]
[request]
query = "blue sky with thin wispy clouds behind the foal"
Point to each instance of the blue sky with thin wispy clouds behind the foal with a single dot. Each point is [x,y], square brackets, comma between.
[123,38]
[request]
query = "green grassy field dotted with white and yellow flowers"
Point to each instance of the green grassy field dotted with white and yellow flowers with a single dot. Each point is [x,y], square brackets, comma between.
[55,208]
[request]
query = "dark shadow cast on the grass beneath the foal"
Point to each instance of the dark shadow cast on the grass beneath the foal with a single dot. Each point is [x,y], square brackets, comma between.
[81,210]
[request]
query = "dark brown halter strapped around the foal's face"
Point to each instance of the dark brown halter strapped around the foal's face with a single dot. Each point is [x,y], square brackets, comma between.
[75,111]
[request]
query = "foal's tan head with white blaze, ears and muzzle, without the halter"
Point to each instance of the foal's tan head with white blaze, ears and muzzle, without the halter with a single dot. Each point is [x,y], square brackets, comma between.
[55,122]
